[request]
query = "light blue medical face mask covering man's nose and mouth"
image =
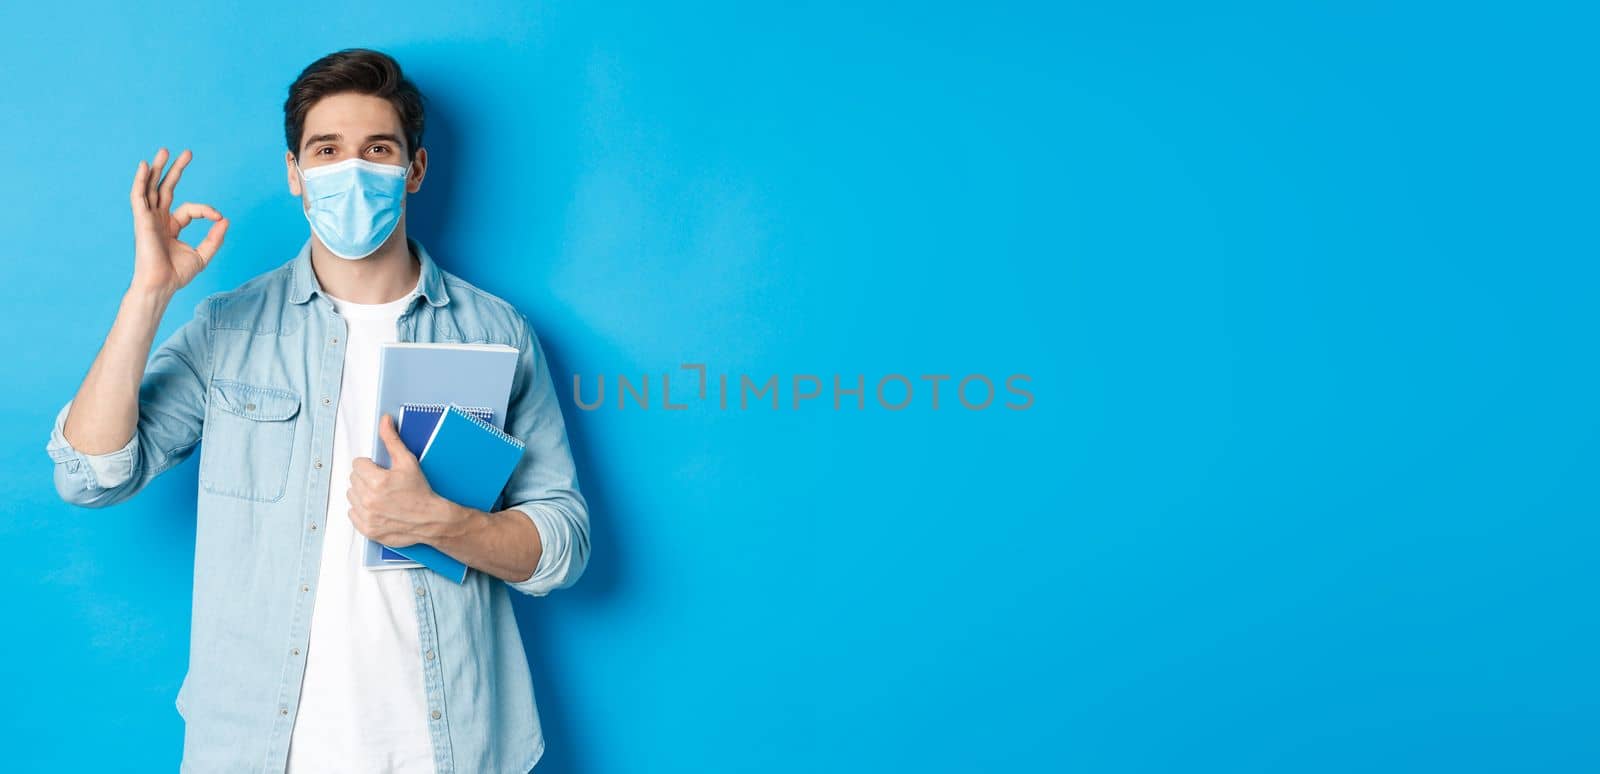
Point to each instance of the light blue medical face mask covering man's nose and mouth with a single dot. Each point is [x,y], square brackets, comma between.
[354,204]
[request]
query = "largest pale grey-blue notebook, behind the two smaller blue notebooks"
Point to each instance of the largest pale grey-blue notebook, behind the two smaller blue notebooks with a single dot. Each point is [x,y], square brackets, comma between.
[414,373]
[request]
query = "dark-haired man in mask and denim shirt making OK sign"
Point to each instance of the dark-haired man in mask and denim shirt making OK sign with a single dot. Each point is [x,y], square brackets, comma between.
[302,660]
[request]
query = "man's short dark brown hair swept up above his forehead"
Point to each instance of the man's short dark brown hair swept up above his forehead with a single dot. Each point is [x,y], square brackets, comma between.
[364,73]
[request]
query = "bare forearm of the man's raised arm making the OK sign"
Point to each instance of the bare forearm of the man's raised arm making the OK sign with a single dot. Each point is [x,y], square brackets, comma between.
[106,409]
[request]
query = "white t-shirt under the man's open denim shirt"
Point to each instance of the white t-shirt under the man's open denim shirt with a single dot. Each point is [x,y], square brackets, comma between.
[362,704]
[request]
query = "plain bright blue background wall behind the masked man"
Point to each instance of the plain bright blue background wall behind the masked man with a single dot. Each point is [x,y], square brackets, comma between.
[1308,300]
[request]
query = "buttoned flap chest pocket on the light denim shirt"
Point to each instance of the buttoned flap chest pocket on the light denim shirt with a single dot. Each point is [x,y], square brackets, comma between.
[249,441]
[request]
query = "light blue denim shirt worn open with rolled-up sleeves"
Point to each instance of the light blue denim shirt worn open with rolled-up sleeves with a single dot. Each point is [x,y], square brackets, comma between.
[257,377]
